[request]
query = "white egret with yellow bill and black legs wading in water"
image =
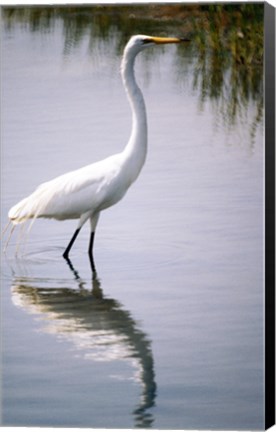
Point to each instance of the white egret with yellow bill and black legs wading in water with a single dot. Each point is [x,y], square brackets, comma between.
[82,194]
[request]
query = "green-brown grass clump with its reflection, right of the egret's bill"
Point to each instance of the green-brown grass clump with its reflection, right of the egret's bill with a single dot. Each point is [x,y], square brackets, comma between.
[229,67]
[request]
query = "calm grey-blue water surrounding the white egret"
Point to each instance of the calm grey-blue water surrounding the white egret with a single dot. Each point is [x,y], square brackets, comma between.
[170,332]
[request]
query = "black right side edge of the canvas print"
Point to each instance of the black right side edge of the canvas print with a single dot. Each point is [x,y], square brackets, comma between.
[269,42]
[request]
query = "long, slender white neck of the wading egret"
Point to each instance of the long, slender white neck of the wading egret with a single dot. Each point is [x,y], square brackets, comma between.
[136,149]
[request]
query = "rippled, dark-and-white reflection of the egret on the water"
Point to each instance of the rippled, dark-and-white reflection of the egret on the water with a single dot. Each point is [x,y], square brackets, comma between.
[98,326]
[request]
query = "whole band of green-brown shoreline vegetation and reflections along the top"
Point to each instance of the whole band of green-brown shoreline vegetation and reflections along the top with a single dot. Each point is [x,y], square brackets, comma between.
[226,42]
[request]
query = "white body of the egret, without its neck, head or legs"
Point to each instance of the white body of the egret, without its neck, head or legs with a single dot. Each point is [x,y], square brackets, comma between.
[79,194]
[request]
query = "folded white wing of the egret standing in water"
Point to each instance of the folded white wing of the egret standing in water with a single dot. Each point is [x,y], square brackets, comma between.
[69,195]
